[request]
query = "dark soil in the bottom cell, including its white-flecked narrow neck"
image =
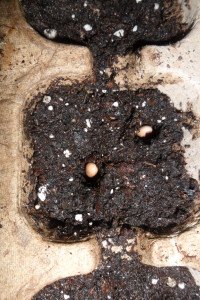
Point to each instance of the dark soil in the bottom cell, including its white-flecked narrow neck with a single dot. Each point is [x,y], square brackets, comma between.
[122,276]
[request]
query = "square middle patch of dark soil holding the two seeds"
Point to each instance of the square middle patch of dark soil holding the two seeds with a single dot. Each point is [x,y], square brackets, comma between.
[141,182]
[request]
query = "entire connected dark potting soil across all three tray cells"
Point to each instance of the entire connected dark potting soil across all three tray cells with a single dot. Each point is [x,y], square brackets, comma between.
[142,182]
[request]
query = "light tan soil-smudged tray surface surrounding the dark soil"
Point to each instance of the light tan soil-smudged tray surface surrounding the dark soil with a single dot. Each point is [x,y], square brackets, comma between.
[28,263]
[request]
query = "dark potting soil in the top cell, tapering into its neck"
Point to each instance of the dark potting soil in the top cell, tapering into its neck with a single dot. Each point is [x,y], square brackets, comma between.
[108,27]
